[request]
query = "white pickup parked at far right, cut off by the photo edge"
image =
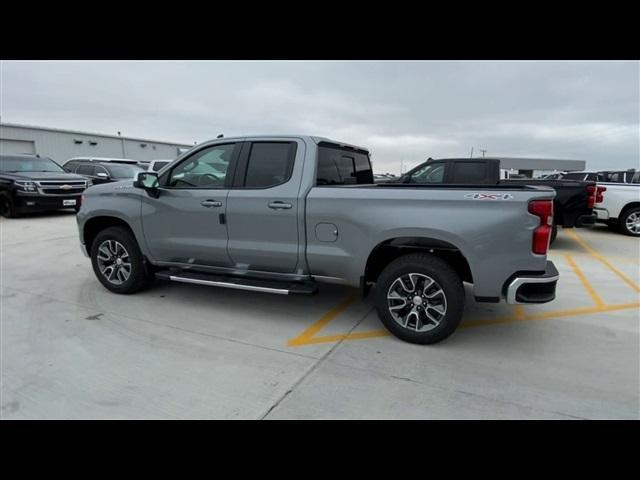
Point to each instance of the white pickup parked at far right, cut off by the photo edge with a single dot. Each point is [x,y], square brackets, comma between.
[620,207]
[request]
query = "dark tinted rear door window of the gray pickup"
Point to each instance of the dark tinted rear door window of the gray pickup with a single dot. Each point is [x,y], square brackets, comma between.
[269,164]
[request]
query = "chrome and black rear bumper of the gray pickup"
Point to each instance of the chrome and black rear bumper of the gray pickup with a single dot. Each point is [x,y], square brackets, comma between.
[528,287]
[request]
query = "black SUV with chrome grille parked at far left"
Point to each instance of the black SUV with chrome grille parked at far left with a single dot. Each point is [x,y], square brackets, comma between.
[30,183]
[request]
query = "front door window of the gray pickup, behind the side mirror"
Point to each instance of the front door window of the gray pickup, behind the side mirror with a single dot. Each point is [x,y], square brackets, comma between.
[205,169]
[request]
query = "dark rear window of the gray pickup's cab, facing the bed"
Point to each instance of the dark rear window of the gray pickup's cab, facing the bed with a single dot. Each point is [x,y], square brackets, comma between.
[343,167]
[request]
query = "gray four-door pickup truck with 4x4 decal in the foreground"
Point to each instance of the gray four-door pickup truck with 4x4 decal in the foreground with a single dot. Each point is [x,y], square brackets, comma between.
[280,214]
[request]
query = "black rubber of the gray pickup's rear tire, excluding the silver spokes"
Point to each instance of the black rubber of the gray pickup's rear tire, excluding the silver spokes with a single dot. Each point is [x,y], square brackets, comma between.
[446,279]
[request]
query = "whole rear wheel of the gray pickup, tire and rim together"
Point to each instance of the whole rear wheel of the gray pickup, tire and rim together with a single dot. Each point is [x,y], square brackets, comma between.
[420,298]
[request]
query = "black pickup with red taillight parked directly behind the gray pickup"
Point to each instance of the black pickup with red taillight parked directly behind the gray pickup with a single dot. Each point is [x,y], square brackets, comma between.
[573,203]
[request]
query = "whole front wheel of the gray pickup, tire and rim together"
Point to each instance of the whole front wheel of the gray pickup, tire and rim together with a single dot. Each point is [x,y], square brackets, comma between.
[118,262]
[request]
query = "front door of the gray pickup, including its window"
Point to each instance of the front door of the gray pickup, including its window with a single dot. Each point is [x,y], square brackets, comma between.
[186,223]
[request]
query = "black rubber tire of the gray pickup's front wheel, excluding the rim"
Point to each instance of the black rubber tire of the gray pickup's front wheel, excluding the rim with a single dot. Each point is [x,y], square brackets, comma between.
[140,275]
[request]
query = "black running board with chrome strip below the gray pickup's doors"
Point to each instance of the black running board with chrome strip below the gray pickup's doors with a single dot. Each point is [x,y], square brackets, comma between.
[238,283]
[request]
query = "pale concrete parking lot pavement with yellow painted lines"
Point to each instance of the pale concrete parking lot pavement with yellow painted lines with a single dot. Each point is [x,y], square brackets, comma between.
[71,349]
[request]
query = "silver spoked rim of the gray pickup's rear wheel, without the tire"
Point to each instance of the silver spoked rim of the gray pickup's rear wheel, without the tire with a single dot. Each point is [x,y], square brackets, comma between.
[416,302]
